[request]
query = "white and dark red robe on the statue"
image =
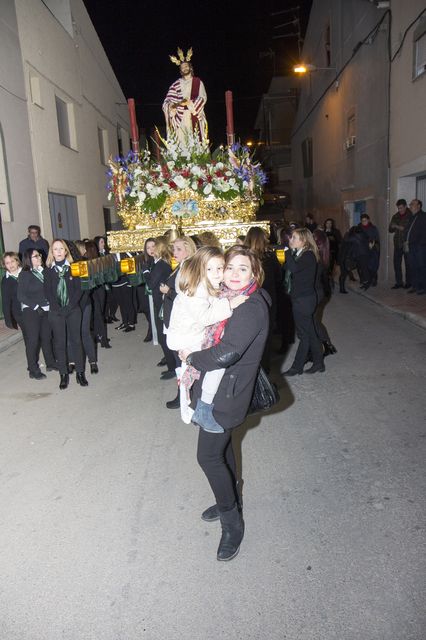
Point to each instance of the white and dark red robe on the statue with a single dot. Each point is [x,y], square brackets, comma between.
[185,119]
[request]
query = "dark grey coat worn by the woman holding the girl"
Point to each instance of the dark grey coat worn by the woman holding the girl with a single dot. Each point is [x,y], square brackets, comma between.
[240,352]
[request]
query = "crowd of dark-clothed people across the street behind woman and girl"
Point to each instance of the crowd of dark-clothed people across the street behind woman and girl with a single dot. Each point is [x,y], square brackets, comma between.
[40,296]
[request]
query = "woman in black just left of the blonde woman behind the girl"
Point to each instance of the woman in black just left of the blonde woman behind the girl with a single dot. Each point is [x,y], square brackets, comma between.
[155,276]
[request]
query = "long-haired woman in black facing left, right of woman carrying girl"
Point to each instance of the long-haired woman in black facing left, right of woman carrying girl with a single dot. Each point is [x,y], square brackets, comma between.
[302,265]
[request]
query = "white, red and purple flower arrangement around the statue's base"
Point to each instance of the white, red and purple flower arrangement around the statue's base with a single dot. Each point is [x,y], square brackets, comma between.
[147,184]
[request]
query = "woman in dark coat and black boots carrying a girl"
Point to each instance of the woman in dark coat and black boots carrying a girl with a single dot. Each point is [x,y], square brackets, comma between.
[239,351]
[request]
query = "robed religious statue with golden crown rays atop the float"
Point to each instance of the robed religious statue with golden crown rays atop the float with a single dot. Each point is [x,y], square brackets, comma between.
[184,104]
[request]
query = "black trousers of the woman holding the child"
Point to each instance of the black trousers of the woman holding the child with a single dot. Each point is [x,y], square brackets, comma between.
[215,456]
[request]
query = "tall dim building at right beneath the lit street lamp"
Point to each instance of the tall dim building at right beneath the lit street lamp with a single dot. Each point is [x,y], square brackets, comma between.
[340,137]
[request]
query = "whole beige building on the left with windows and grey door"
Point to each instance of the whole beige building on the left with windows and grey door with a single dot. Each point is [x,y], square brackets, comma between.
[72,115]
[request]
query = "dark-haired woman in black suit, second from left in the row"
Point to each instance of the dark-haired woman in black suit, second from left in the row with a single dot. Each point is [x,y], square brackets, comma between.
[35,307]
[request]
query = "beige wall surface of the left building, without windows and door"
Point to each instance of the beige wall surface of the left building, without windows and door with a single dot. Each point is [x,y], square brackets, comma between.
[76,70]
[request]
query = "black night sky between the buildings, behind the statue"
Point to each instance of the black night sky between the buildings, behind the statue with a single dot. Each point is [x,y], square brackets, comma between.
[232,43]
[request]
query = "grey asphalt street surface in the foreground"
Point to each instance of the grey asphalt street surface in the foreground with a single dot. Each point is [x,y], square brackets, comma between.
[101,495]
